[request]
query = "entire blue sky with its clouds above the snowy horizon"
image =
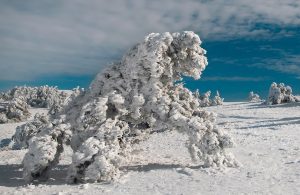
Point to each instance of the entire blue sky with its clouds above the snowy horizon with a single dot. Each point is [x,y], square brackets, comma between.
[249,43]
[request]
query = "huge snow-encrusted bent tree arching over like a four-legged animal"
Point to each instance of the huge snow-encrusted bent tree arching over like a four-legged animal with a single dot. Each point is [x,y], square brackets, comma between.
[124,104]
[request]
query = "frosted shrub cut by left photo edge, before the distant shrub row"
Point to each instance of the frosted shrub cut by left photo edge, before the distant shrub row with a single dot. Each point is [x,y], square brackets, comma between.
[15,110]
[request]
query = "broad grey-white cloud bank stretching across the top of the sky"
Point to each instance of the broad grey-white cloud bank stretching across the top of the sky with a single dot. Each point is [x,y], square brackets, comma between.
[79,37]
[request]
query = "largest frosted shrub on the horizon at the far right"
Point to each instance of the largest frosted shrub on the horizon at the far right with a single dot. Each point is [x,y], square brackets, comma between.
[279,93]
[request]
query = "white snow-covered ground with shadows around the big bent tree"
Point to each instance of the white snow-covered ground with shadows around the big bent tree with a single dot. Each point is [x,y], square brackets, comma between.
[267,145]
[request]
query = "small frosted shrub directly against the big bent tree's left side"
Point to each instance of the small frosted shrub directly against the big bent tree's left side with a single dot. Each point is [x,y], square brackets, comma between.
[28,130]
